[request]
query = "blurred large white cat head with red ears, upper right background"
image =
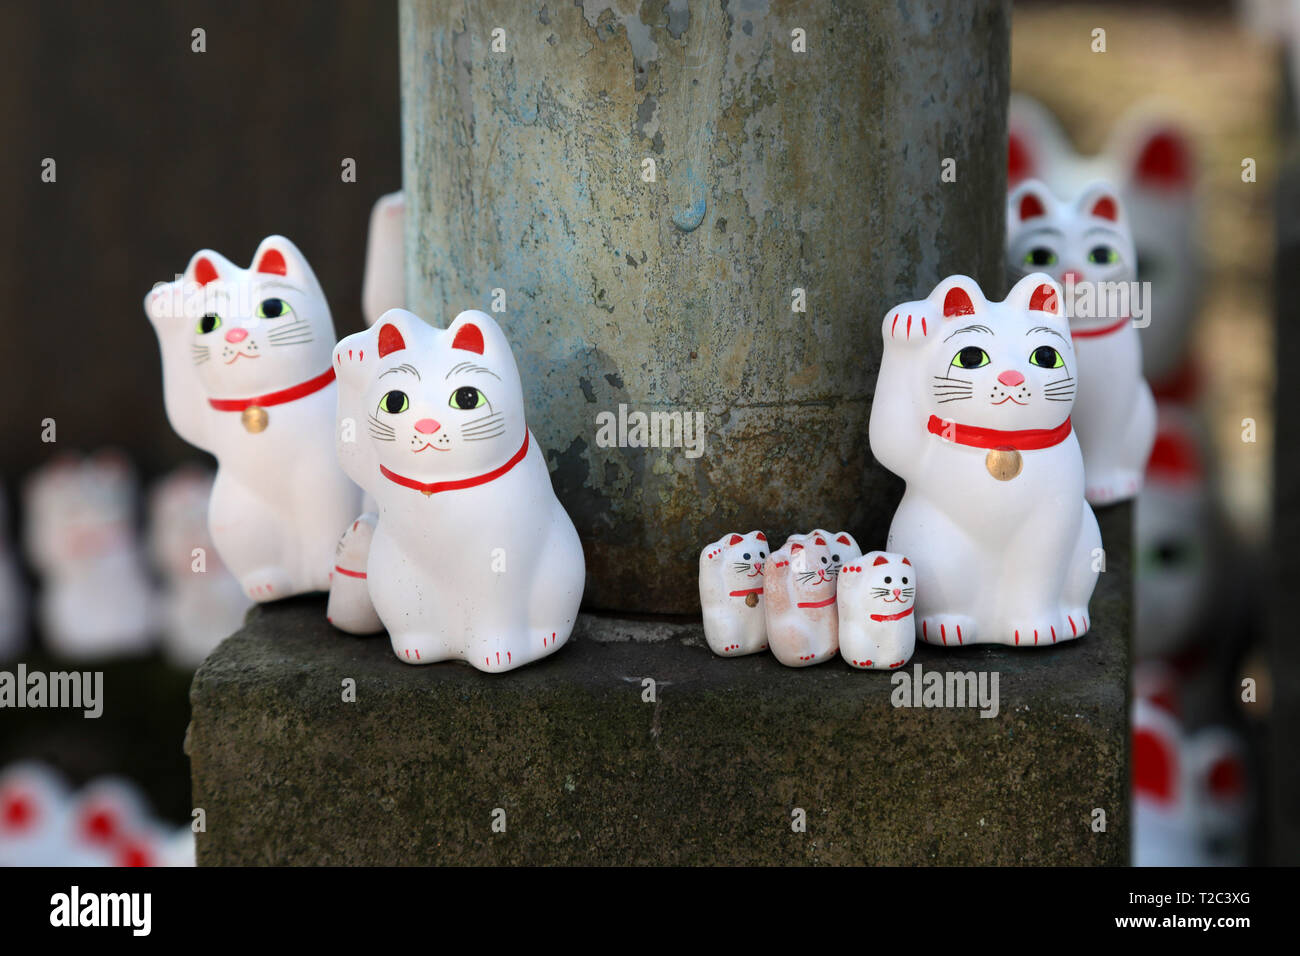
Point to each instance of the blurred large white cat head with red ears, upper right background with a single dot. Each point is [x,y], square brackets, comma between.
[1151,159]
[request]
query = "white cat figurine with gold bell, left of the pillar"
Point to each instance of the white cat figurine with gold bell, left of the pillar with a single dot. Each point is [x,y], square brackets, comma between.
[248,377]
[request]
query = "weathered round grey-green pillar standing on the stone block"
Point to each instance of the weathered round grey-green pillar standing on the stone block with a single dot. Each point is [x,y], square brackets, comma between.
[798,157]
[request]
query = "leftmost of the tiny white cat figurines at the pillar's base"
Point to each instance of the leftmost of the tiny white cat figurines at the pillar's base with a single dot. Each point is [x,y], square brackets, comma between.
[731,594]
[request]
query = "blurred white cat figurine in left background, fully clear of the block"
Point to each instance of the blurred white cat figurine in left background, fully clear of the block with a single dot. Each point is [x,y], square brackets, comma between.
[97,599]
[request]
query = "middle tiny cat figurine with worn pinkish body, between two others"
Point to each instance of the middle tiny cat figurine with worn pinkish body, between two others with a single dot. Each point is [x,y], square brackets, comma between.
[803,621]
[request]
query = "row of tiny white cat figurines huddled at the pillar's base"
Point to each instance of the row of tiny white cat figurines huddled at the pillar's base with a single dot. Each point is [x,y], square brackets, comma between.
[814,596]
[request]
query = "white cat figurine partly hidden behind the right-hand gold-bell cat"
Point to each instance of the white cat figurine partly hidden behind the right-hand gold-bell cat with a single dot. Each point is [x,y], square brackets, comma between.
[1087,240]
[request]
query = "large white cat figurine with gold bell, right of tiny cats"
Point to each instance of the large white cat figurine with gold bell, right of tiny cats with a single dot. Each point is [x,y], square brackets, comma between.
[973,412]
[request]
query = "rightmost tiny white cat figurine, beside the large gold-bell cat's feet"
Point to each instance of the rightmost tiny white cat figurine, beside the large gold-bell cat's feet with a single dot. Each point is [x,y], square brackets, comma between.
[876,600]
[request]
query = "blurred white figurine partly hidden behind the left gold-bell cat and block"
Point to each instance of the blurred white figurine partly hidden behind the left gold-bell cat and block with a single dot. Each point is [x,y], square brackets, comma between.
[202,602]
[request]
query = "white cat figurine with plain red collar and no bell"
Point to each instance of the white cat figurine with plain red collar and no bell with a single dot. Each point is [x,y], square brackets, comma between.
[474,557]
